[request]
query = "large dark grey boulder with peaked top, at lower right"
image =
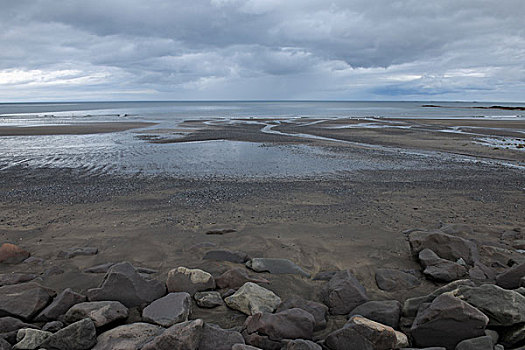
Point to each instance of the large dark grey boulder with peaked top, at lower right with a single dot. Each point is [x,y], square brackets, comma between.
[446,322]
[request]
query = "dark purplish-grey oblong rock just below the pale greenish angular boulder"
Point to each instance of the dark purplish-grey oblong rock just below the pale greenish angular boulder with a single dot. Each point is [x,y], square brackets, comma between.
[288,324]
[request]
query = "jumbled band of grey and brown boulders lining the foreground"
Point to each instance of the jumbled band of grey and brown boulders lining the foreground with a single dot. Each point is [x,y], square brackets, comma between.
[480,304]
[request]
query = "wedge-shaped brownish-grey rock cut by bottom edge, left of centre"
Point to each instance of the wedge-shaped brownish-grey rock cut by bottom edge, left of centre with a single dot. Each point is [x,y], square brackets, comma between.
[181,336]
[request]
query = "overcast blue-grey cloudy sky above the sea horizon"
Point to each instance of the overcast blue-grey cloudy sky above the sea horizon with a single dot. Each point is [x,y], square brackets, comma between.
[262,49]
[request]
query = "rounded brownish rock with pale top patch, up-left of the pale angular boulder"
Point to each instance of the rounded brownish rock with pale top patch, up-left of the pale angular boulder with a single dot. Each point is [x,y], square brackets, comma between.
[190,281]
